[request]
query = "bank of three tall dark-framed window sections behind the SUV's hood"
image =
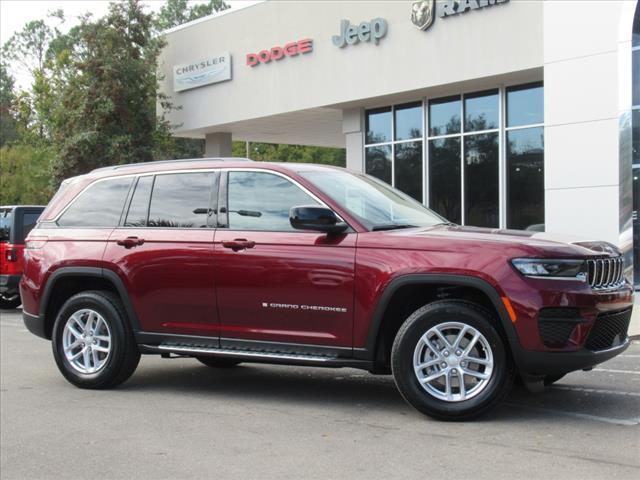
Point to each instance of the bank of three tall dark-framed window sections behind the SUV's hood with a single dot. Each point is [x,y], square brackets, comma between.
[464,154]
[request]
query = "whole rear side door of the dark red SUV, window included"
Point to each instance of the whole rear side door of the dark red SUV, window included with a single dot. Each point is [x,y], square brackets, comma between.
[163,250]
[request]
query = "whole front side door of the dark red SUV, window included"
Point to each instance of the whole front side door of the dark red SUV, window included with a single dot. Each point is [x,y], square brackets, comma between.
[274,283]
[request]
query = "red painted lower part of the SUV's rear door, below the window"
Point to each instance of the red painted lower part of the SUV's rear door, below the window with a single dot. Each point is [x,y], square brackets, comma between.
[170,278]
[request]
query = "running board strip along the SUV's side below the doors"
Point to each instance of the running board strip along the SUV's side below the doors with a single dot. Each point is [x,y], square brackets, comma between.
[260,357]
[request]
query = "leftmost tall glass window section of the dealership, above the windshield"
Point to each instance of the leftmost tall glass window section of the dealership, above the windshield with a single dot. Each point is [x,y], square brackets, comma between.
[393,150]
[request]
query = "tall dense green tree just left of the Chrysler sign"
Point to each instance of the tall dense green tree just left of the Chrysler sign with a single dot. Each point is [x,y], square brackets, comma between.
[105,113]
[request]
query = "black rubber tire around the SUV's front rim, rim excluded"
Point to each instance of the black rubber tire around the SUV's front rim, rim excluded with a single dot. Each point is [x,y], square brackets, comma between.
[407,338]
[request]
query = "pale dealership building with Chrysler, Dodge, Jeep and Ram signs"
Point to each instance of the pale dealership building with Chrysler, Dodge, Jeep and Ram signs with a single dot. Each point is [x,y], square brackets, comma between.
[495,113]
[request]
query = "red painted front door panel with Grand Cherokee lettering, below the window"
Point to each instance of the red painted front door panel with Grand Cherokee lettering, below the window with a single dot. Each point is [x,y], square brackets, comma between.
[282,270]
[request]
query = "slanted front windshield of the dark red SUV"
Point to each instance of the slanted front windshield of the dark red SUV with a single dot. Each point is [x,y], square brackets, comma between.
[377,205]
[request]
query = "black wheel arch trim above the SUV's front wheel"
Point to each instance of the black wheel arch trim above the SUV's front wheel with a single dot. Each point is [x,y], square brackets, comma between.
[424,279]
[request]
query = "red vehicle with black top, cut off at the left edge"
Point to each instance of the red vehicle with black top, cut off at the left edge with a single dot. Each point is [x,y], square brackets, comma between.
[15,224]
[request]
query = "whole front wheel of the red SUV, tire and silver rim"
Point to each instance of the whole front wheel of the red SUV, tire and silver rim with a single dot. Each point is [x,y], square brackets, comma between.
[450,362]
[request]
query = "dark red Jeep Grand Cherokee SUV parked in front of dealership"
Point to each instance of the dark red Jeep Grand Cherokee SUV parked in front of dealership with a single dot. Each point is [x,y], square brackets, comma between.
[232,261]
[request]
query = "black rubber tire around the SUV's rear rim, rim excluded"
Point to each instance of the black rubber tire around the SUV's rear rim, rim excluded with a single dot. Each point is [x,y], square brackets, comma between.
[124,356]
